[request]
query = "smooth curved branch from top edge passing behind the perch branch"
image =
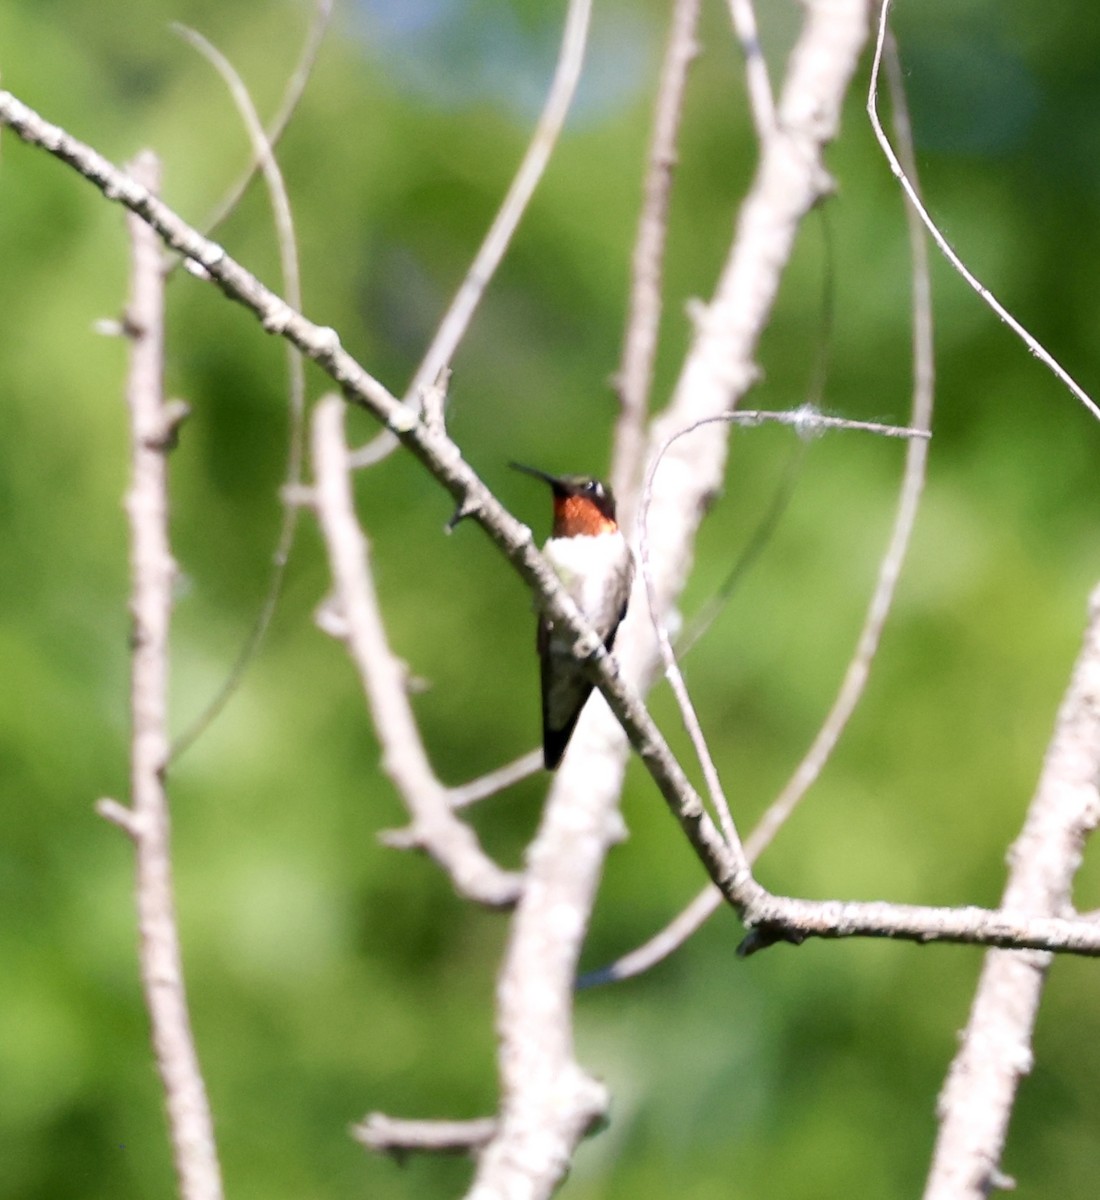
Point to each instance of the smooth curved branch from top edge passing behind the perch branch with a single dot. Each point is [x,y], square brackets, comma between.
[455,323]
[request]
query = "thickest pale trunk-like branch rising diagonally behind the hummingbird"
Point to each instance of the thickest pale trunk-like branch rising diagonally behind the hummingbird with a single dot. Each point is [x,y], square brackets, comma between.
[538,1135]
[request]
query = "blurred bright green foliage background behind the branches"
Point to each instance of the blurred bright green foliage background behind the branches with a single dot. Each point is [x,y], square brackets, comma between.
[329,976]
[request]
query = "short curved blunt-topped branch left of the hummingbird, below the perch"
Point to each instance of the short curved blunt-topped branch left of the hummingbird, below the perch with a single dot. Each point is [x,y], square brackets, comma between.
[436,830]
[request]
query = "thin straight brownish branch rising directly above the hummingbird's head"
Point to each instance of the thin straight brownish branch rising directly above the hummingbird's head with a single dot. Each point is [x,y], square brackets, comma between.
[644,321]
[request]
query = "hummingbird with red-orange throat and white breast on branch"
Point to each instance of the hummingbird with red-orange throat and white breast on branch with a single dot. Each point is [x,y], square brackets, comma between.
[591,556]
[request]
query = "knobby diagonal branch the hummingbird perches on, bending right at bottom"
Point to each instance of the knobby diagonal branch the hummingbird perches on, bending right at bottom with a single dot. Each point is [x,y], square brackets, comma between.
[443,459]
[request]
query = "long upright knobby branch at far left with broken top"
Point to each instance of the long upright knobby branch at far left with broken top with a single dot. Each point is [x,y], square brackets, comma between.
[153,424]
